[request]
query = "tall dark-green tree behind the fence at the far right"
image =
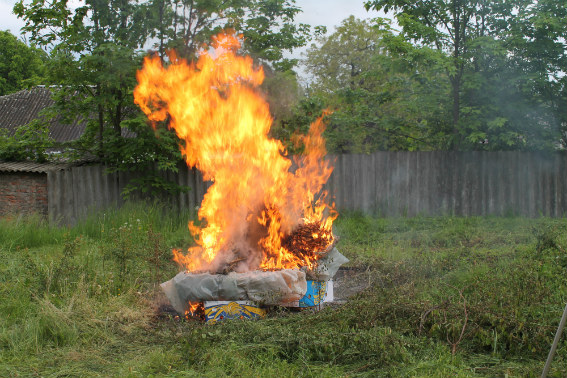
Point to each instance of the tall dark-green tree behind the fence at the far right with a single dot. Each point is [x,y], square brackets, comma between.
[513,32]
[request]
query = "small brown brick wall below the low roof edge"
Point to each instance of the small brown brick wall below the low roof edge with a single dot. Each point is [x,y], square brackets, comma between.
[23,193]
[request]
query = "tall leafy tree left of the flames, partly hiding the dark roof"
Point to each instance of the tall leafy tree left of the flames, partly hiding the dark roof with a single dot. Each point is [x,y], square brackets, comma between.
[95,56]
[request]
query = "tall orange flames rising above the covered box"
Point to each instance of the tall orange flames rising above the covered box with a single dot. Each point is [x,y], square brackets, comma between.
[255,202]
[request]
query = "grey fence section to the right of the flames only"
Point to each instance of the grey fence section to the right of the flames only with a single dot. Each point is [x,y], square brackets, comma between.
[455,183]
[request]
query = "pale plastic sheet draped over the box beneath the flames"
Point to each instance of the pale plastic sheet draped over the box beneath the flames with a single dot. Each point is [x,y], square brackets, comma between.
[269,288]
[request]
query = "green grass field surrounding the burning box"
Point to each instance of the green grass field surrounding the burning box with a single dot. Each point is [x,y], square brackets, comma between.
[449,297]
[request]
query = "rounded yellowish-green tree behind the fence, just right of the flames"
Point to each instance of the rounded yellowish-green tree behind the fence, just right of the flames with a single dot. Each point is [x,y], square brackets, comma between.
[384,92]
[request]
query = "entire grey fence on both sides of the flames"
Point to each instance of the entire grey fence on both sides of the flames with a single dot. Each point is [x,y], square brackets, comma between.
[384,183]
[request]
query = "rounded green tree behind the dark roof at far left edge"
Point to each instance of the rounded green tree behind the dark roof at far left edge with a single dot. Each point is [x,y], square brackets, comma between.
[21,66]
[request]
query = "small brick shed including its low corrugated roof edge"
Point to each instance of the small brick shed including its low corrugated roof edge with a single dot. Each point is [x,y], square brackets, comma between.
[23,187]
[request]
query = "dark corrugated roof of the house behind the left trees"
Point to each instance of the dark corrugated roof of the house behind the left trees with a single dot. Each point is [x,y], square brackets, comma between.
[20,108]
